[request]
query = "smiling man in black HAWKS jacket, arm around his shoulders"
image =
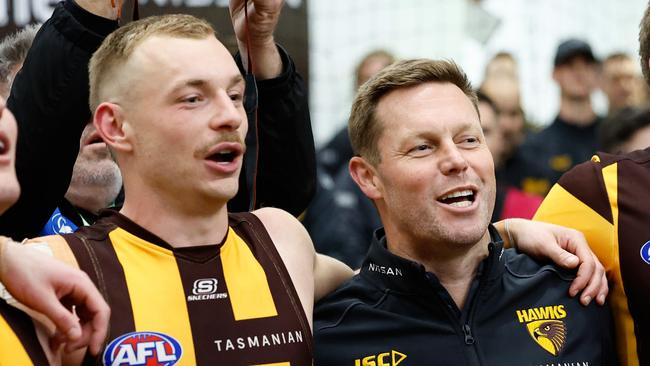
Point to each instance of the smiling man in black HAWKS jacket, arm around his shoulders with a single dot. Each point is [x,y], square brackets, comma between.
[437,287]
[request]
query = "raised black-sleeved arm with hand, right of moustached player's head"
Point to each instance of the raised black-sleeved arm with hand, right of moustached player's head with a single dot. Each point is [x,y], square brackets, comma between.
[286,167]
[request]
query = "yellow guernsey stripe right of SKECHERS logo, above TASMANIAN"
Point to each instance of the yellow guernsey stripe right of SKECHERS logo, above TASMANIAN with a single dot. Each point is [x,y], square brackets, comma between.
[248,288]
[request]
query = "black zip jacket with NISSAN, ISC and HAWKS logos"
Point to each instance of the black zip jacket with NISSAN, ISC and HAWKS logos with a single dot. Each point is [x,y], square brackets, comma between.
[517,313]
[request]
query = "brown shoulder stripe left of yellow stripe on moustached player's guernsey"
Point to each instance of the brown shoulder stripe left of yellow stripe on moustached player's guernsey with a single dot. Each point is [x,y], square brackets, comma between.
[96,257]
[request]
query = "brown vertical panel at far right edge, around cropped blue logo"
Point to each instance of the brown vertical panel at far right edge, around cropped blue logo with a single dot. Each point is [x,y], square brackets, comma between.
[633,231]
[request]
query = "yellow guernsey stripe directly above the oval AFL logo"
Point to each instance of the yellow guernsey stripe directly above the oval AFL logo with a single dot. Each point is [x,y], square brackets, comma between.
[155,289]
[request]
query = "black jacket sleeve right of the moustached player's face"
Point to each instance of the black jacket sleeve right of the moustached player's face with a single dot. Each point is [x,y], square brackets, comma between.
[286,167]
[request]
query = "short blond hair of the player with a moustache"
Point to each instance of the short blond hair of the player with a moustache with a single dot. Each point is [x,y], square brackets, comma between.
[119,45]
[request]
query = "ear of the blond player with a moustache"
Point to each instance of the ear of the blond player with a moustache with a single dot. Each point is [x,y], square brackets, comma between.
[112,127]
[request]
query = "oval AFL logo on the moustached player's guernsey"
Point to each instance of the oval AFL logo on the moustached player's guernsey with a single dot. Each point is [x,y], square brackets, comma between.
[143,348]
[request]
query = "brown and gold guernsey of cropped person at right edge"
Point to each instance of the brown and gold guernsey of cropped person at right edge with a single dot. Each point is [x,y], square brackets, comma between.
[608,199]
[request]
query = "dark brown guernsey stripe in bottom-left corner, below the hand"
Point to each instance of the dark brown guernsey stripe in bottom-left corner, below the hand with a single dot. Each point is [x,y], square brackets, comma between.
[21,324]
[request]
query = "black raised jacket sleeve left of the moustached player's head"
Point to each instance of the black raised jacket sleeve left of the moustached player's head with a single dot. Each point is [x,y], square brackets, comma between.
[50,101]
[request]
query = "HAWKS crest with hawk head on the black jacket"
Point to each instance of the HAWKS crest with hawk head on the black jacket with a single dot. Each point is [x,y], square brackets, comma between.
[544,326]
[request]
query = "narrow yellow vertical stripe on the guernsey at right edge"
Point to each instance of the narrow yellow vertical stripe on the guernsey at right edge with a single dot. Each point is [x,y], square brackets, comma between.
[625,337]
